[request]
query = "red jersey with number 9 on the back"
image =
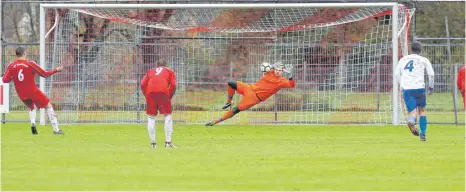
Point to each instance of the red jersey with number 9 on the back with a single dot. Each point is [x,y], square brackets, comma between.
[160,79]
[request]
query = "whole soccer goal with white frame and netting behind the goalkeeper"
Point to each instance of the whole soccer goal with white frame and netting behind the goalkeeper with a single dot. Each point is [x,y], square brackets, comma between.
[343,56]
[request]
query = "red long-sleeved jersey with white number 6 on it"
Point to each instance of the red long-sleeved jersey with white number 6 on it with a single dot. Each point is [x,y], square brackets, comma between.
[22,72]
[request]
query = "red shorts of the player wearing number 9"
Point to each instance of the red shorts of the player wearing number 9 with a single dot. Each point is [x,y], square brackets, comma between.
[158,102]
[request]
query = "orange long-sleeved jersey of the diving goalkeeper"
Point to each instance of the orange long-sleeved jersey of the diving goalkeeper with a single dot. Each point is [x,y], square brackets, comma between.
[269,84]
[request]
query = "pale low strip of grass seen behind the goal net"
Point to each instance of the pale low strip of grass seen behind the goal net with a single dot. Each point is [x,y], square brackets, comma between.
[243,118]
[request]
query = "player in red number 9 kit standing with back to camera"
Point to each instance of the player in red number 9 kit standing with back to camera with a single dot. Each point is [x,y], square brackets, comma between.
[159,86]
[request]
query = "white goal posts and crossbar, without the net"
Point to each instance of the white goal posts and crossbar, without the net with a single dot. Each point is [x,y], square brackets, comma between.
[396,110]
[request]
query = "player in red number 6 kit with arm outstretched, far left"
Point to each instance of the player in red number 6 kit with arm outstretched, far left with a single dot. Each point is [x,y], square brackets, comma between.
[23,72]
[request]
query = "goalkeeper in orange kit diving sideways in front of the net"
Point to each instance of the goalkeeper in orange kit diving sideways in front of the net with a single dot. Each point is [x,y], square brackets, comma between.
[253,94]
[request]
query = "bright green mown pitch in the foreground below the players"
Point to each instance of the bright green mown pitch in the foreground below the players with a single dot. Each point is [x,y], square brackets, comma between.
[119,157]
